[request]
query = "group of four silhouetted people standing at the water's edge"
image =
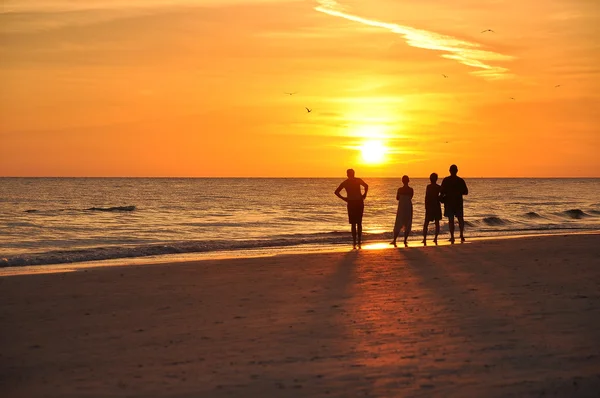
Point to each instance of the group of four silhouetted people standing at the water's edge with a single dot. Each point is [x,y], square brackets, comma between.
[450,193]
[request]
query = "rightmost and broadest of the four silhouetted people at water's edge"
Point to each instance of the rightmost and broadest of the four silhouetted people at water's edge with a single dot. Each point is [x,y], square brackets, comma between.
[451,193]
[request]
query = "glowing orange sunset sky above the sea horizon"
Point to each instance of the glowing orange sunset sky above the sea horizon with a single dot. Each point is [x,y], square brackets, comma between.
[199,88]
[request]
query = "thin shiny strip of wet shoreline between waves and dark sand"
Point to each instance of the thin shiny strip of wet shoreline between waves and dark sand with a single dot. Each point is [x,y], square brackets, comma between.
[183,258]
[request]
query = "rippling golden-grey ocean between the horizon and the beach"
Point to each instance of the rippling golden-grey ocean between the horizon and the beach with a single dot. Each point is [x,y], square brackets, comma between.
[66,220]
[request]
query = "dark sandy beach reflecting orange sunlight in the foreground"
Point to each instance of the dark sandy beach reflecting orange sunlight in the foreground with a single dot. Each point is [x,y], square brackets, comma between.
[497,318]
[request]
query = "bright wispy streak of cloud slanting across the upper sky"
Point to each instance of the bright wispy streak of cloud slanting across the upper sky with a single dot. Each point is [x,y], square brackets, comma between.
[464,52]
